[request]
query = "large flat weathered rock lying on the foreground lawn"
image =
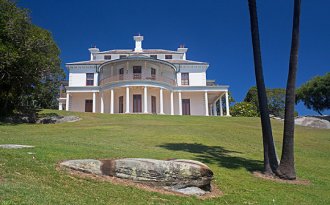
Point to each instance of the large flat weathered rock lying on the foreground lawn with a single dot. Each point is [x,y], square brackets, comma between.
[182,176]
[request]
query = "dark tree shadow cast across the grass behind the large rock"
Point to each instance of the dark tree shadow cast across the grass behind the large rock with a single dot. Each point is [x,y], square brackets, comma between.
[216,155]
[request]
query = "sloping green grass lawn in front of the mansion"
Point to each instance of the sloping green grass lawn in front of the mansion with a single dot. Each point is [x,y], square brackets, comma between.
[232,147]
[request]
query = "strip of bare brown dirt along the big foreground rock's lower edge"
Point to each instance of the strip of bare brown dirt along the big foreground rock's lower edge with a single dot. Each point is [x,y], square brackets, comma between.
[215,191]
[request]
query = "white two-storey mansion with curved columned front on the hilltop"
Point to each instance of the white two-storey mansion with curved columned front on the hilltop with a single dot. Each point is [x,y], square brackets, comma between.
[142,81]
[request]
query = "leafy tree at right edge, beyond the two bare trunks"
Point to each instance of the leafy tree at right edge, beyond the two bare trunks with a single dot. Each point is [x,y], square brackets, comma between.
[315,93]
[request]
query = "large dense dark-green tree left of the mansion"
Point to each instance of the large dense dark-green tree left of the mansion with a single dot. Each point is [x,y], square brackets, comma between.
[29,62]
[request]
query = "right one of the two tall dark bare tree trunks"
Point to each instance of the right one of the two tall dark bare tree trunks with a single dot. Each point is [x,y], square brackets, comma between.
[286,168]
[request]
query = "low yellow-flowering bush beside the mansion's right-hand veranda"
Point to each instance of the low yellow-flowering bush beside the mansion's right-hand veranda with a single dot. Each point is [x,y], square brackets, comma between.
[244,109]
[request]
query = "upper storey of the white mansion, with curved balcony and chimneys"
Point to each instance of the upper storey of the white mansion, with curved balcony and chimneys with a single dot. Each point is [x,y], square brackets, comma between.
[171,67]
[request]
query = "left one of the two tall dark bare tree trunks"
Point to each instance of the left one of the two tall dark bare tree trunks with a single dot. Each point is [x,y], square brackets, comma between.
[270,157]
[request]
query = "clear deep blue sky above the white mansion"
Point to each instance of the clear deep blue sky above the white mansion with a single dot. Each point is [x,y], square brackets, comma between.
[215,31]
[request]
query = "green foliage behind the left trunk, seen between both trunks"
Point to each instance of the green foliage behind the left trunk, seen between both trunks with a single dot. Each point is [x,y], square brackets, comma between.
[276,100]
